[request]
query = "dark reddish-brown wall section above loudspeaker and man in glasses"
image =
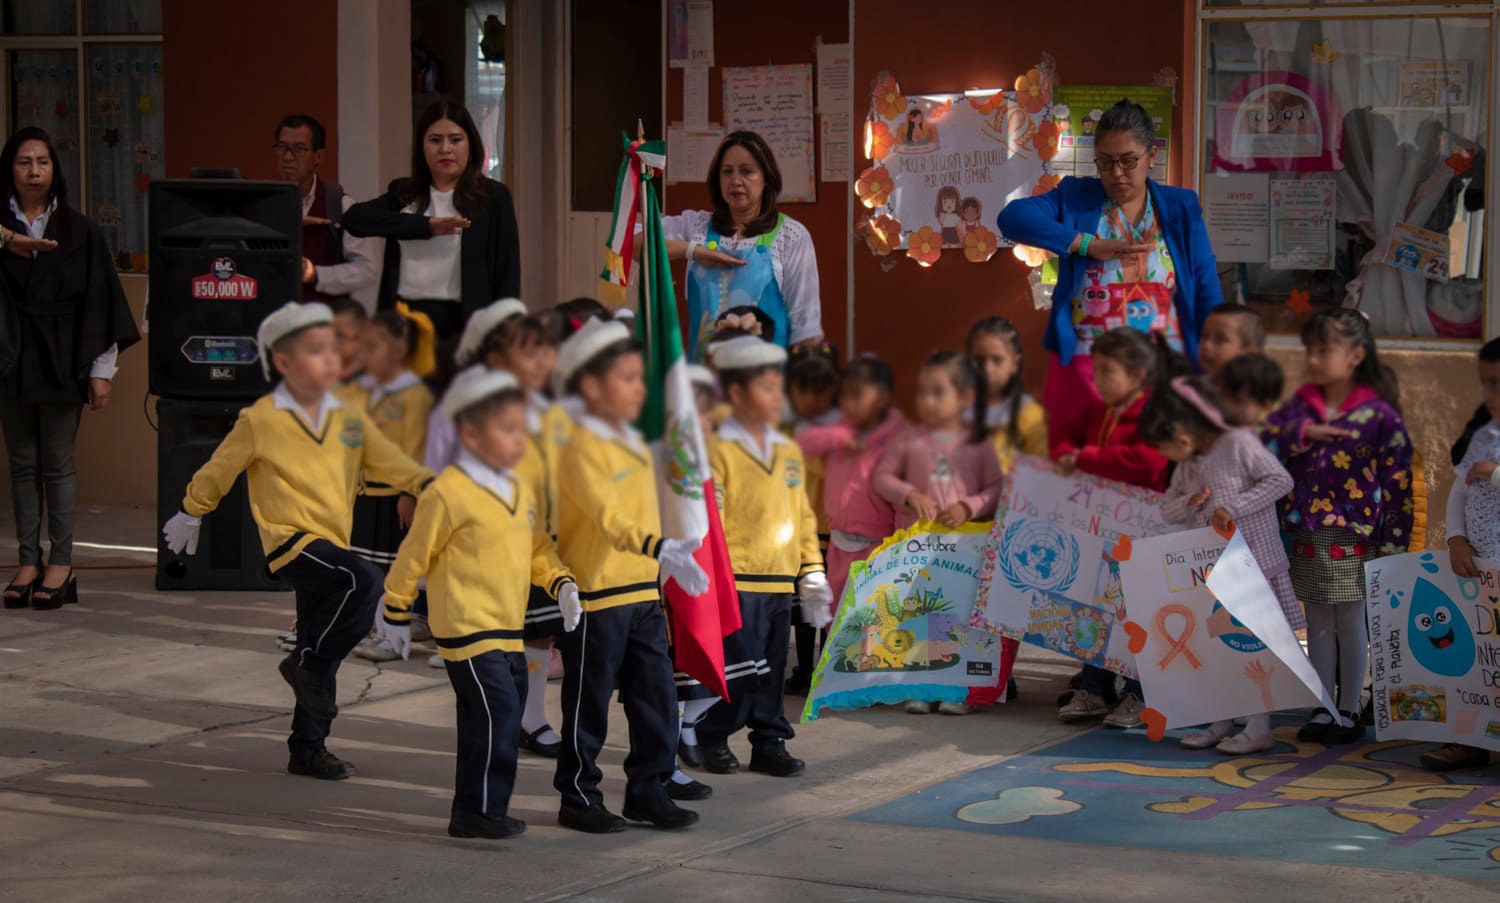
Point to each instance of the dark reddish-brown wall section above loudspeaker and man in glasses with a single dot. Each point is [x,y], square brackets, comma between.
[235,70]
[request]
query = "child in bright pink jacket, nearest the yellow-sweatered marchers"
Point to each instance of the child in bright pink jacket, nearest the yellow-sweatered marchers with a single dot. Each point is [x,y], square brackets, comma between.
[851,449]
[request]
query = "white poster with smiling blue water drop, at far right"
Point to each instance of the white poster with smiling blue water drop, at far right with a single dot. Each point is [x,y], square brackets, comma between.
[1435,650]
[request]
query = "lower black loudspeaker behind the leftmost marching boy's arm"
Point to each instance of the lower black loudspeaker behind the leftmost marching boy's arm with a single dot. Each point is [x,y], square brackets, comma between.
[229,545]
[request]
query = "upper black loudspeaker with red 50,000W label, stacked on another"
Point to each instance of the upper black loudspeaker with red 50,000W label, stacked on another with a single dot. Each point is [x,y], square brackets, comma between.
[224,254]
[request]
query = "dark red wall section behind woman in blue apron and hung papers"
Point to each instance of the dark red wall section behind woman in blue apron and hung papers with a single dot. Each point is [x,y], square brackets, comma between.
[778,32]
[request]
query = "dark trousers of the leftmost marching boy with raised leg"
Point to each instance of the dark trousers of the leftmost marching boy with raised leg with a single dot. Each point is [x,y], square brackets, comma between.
[337,596]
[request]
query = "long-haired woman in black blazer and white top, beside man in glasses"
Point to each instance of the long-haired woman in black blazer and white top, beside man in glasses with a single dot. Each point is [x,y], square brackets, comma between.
[452,244]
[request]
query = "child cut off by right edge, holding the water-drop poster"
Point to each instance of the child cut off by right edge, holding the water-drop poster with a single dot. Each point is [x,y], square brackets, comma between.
[1474,520]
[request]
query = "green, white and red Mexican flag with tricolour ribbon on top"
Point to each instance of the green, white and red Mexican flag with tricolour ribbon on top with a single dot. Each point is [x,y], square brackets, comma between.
[670,422]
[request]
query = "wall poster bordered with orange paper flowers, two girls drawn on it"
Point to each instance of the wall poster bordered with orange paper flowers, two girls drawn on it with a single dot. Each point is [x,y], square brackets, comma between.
[944,166]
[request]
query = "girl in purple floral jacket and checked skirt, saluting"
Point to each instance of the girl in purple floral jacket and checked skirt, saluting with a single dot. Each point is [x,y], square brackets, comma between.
[1343,442]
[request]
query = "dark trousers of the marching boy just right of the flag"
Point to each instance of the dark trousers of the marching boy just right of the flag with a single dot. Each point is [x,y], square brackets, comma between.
[755,694]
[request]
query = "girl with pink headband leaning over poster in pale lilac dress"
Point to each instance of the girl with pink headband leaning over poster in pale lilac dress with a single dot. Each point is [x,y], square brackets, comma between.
[1226,479]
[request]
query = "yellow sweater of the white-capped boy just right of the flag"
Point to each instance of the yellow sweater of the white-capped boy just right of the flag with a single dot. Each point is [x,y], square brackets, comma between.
[769,521]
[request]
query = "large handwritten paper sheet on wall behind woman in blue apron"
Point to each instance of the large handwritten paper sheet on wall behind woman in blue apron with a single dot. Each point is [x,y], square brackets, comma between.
[778,103]
